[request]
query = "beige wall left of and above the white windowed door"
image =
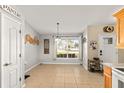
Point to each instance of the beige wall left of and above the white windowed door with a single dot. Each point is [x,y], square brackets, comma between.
[94,32]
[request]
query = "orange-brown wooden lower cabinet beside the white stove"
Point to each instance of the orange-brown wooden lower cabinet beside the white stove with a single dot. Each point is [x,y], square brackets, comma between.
[107,77]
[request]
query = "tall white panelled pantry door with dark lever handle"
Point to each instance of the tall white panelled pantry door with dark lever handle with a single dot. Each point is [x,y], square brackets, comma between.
[10,52]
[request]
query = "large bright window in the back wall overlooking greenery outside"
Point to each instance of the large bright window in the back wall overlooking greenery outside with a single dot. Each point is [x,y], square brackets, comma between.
[67,48]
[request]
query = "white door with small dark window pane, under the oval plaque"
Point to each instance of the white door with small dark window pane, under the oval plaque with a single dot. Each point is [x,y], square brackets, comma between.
[107,51]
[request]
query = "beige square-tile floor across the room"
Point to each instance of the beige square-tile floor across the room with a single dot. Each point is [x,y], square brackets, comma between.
[63,76]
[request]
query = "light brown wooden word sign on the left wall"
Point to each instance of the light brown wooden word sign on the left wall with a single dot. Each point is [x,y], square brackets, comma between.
[29,39]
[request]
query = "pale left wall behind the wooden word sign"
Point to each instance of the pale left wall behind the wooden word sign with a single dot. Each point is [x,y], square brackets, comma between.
[31,52]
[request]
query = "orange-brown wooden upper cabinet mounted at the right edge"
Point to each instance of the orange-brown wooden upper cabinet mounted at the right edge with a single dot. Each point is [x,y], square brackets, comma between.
[120,28]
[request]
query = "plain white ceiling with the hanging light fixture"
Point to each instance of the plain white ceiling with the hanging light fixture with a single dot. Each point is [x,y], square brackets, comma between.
[72,19]
